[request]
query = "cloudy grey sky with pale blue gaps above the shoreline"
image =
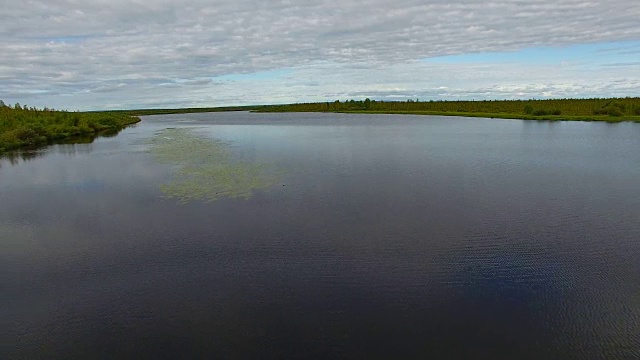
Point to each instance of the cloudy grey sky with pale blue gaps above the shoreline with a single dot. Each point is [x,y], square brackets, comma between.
[122,54]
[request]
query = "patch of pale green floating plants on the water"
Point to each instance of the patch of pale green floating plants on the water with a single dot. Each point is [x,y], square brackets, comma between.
[205,168]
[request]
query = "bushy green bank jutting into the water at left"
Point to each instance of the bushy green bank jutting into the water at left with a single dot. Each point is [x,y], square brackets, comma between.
[22,126]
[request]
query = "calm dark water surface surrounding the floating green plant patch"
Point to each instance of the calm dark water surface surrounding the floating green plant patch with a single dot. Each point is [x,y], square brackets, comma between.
[383,236]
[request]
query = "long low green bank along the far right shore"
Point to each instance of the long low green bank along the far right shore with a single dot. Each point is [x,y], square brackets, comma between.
[610,110]
